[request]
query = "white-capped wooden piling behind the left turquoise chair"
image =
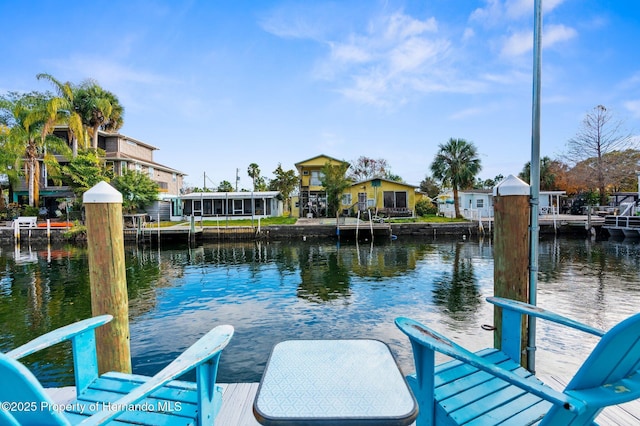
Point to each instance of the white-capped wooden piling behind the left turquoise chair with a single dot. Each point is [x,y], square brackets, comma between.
[107,274]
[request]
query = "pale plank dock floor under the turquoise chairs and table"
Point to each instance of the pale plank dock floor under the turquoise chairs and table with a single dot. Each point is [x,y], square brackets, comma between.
[237,405]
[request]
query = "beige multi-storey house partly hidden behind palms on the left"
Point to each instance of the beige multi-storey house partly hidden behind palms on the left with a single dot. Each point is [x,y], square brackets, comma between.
[121,153]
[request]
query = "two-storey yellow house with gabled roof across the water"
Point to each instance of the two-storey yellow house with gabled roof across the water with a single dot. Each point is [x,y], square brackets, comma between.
[312,198]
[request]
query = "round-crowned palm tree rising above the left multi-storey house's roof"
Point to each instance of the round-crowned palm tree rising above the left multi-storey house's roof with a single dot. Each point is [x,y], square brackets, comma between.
[98,108]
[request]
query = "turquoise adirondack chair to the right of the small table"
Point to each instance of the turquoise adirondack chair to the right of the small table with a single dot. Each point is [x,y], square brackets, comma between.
[490,387]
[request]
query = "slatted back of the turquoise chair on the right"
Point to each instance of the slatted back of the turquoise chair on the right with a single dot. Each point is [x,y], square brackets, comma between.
[613,364]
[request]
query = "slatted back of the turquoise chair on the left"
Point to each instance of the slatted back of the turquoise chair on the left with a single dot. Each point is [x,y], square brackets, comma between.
[25,398]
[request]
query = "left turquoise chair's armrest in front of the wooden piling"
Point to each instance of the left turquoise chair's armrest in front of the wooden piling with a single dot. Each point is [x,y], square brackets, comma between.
[59,335]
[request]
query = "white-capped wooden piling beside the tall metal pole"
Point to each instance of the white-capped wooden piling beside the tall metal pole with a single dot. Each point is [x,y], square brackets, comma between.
[511,250]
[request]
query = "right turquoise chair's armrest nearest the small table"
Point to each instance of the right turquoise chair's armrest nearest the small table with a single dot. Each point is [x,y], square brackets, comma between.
[436,342]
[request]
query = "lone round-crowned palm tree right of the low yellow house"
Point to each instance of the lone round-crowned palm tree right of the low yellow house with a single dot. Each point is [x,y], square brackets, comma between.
[456,165]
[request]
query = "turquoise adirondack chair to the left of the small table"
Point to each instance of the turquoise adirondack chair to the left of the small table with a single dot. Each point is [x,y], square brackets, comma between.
[125,398]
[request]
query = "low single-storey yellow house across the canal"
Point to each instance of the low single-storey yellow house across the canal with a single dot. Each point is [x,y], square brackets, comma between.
[383,196]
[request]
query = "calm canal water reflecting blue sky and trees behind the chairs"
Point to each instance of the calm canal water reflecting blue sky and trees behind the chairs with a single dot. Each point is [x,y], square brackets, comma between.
[314,290]
